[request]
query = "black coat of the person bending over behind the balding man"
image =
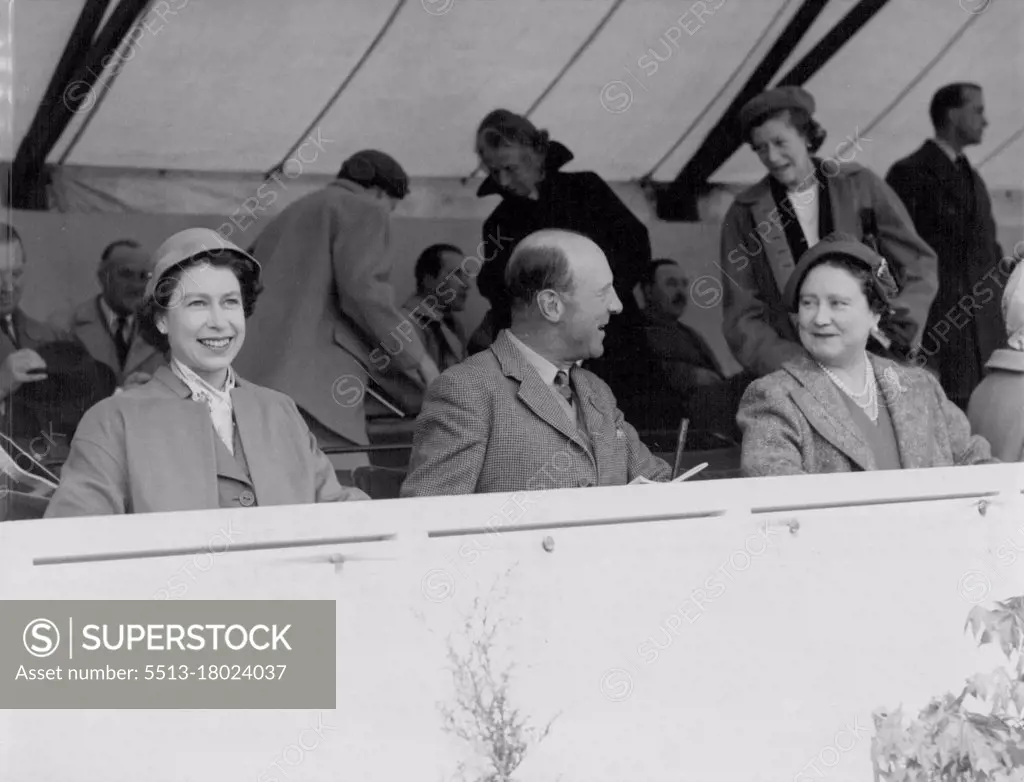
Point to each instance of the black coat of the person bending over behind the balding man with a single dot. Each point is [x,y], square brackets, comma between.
[581,202]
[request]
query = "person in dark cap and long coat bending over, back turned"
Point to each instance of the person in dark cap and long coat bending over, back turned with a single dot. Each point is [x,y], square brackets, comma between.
[328,309]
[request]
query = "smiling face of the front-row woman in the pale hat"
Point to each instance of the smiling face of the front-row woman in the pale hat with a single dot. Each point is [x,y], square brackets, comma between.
[205,323]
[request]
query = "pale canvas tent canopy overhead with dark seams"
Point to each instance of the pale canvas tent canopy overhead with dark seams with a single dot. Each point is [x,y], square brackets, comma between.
[233,86]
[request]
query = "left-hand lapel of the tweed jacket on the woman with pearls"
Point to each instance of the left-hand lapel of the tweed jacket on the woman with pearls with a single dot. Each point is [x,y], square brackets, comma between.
[826,411]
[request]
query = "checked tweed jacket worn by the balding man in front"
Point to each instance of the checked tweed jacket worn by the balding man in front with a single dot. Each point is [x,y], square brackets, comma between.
[492,424]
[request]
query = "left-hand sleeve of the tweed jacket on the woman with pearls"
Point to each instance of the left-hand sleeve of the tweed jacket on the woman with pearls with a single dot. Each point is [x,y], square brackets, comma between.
[773,432]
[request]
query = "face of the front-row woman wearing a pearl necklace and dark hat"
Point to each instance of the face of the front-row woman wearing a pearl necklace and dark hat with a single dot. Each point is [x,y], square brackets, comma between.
[834,319]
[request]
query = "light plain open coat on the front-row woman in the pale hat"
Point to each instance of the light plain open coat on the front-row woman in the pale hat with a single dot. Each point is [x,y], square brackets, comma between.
[151,450]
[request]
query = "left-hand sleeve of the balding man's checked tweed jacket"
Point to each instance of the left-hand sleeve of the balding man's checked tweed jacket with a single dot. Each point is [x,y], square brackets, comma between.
[451,440]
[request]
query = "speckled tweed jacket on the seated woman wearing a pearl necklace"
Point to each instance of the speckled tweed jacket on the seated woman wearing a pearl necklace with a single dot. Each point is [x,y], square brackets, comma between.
[795,422]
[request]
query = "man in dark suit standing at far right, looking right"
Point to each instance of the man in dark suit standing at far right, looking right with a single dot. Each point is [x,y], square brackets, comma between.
[953,212]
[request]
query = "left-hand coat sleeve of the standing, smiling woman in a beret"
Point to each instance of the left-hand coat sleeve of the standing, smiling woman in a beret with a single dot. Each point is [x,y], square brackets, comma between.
[749,332]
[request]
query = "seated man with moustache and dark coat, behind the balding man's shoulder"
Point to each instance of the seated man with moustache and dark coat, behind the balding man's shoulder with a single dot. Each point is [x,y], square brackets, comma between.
[693,373]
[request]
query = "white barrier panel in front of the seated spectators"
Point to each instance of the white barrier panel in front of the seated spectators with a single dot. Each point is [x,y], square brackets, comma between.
[740,631]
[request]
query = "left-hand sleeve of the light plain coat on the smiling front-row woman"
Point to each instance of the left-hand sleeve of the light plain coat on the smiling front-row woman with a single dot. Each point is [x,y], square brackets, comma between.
[95,479]
